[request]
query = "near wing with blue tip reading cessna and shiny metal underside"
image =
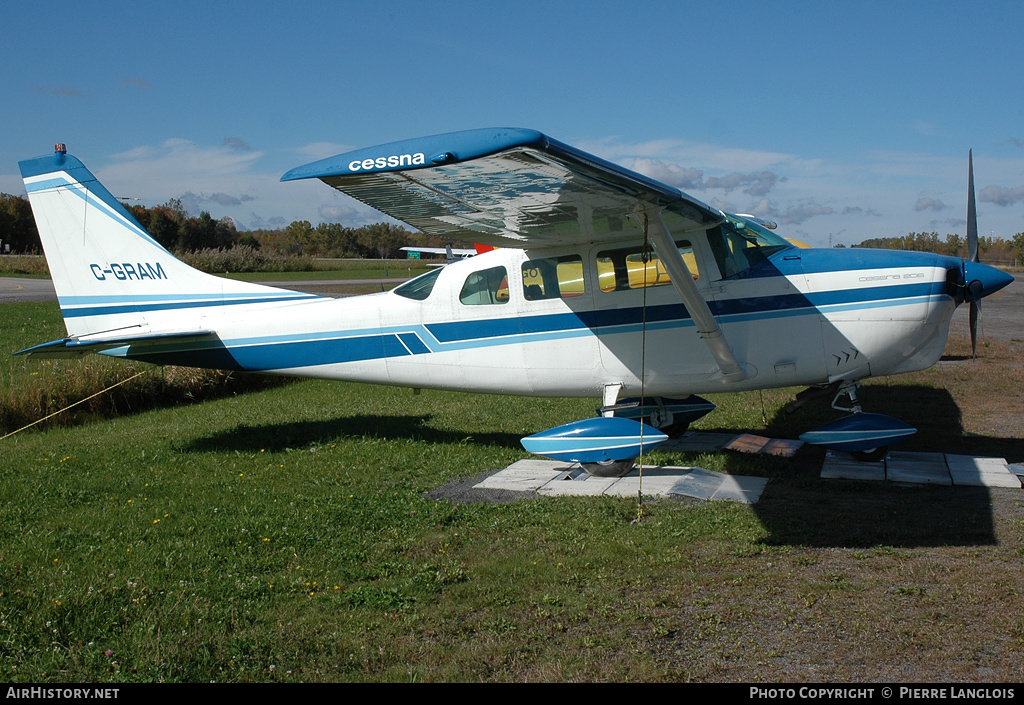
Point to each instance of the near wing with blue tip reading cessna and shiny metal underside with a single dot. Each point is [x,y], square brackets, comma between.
[511,188]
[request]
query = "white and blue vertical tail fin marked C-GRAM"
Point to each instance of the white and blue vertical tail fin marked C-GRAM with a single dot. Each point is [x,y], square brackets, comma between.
[110,274]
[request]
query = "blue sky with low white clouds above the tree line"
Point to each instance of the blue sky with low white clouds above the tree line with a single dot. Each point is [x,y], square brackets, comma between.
[841,121]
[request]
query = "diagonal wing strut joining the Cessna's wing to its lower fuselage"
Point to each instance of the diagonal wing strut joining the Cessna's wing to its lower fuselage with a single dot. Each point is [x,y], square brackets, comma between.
[682,280]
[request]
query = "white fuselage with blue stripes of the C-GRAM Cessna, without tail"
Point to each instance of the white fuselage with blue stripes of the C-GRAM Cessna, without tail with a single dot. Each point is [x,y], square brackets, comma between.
[569,323]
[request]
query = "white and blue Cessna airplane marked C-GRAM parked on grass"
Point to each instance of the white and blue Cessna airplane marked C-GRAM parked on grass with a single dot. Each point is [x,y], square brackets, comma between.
[605,284]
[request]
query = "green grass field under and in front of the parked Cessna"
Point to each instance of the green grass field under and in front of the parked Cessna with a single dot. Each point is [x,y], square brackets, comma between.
[289,534]
